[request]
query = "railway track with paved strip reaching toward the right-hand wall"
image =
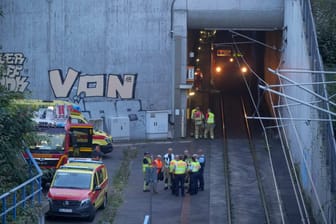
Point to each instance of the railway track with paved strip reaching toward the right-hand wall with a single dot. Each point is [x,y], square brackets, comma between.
[256,191]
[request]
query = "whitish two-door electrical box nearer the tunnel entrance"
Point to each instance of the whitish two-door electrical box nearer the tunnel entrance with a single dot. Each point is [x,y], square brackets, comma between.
[157,124]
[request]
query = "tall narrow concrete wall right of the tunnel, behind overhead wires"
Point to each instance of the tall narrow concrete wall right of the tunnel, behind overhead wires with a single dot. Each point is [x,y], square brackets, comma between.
[304,137]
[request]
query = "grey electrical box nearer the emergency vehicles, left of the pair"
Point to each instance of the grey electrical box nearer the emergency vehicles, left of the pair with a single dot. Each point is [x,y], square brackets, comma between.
[119,128]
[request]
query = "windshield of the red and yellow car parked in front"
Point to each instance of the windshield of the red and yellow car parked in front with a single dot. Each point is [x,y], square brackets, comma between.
[72,180]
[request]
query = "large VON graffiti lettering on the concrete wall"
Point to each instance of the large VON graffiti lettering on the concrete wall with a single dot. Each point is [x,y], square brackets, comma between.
[92,85]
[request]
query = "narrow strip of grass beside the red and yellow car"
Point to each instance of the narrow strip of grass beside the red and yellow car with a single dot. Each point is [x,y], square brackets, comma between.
[119,182]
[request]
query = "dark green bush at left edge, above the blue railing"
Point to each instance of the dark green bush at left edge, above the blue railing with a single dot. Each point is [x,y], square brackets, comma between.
[15,123]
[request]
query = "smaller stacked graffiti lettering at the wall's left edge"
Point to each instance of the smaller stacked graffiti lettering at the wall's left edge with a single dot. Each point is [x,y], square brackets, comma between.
[11,67]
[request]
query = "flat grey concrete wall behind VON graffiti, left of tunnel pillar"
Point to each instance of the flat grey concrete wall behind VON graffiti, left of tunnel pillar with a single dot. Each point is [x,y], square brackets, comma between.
[91,53]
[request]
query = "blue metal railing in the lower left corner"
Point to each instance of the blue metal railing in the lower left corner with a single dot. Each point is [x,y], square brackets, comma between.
[24,194]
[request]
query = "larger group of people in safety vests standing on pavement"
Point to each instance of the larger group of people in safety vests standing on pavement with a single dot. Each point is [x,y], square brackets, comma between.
[178,172]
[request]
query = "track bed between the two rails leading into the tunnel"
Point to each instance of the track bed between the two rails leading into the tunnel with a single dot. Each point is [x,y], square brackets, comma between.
[245,195]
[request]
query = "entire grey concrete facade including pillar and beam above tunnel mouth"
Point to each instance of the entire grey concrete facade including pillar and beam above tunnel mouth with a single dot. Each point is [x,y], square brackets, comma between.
[117,57]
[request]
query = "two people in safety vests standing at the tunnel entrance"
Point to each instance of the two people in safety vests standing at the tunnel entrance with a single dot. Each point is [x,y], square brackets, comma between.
[203,124]
